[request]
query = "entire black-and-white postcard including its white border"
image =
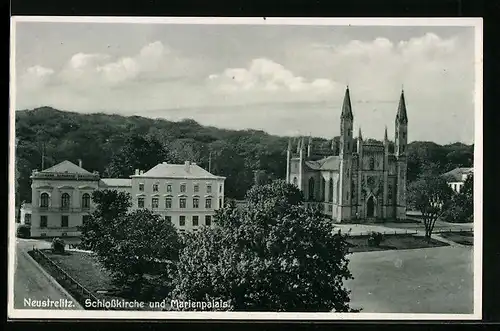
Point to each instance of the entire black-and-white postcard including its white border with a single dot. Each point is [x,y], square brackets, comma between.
[245,168]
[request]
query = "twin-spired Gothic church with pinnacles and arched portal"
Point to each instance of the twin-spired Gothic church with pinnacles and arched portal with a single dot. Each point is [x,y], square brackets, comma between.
[364,182]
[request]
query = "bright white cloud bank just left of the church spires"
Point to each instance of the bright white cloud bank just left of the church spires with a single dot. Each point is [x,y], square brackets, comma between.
[265,75]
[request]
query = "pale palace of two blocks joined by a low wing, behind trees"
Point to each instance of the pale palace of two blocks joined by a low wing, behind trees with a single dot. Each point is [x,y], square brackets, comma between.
[186,194]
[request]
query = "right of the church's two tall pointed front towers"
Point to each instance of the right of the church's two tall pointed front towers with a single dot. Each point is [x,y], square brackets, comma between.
[401,142]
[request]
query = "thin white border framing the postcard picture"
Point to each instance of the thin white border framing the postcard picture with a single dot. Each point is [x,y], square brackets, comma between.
[141,315]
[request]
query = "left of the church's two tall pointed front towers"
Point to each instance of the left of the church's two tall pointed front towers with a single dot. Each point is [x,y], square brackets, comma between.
[346,147]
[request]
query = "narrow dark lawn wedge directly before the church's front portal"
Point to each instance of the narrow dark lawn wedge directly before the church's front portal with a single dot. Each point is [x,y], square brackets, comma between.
[392,242]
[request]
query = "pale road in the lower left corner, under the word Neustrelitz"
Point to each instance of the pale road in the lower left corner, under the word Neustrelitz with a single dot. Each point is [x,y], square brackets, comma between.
[30,282]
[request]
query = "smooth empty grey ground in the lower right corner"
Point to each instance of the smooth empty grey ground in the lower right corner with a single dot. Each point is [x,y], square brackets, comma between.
[433,280]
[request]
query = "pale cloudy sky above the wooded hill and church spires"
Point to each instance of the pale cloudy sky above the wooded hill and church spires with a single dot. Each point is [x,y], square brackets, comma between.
[283,79]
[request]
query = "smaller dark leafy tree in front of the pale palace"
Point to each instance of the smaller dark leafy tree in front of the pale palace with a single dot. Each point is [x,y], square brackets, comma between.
[138,248]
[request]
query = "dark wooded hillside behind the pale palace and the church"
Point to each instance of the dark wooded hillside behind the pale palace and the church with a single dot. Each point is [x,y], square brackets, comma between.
[115,145]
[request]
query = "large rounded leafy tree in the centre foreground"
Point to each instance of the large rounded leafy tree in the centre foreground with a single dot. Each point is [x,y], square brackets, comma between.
[265,258]
